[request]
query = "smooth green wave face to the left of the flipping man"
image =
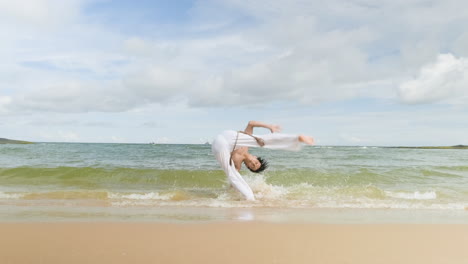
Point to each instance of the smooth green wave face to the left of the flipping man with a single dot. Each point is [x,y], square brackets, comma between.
[118,178]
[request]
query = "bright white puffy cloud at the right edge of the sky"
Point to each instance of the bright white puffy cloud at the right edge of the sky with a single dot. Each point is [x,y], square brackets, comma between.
[445,80]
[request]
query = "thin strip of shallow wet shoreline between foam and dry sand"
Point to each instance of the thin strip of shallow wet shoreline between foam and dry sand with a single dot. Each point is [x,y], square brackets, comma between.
[200,215]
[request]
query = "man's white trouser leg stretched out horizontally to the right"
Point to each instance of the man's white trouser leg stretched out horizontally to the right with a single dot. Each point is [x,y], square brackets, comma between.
[272,141]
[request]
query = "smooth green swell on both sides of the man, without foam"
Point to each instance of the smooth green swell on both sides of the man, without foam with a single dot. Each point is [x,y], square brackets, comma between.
[153,178]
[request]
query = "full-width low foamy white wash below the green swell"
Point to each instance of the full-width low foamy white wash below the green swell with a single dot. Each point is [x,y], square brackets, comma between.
[303,195]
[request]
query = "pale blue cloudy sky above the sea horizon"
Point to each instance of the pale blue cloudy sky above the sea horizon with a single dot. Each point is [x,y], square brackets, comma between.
[347,72]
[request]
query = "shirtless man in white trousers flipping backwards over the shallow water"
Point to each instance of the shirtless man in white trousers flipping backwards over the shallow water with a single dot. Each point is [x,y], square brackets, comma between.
[231,149]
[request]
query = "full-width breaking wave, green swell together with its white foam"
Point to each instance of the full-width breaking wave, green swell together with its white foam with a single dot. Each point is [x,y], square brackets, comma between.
[337,187]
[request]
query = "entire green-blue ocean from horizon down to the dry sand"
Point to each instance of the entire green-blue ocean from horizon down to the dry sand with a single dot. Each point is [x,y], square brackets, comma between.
[170,182]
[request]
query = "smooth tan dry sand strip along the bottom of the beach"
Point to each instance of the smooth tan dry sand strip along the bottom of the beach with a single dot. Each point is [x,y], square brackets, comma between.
[231,242]
